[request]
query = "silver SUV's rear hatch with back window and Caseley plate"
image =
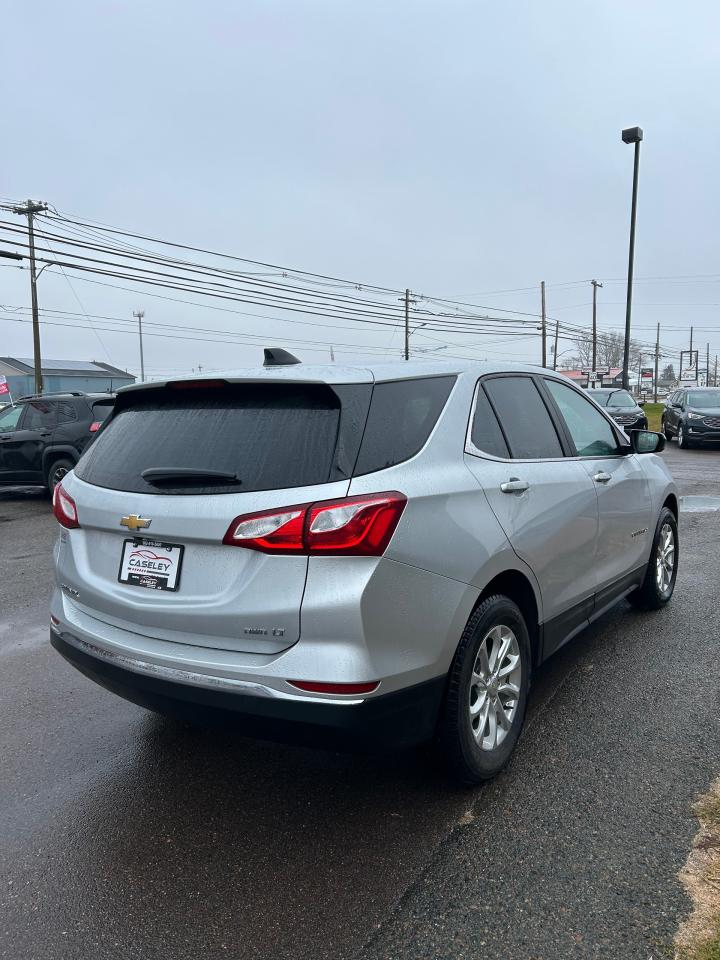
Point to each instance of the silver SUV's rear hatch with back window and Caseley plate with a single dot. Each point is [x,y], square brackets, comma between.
[190,457]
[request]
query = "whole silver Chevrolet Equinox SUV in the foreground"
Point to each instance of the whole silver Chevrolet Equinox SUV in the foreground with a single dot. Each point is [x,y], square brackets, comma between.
[347,554]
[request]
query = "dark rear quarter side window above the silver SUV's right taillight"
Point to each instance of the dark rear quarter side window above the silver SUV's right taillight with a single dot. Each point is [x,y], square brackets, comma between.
[401,417]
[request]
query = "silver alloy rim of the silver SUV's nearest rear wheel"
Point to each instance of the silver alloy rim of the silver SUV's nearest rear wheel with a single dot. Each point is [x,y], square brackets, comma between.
[495,687]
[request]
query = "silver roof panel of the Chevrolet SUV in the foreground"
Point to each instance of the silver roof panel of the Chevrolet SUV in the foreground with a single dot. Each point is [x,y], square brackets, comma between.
[334,373]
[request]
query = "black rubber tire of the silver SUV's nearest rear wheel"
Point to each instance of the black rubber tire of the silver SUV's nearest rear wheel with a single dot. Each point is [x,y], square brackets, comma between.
[468,761]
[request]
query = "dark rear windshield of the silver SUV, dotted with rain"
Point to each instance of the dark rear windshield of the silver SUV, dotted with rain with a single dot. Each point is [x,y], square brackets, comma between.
[269,436]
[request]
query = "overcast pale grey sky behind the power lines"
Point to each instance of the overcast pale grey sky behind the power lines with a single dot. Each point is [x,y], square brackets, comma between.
[458,148]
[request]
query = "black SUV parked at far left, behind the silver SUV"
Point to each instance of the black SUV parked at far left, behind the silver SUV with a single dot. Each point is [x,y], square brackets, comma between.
[42,437]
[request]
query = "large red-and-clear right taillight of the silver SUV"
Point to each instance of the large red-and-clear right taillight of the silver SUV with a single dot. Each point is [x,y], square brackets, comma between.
[352,526]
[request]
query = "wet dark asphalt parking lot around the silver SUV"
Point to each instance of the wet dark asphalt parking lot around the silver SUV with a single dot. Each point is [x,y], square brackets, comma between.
[126,835]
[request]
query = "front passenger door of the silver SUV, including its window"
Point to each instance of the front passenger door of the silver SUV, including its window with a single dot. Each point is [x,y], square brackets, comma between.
[623,491]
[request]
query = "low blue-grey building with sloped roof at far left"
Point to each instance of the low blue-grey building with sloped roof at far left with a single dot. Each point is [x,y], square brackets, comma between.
[88,376]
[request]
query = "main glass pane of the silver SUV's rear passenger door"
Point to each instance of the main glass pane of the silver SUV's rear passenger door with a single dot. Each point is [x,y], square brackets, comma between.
[525,420]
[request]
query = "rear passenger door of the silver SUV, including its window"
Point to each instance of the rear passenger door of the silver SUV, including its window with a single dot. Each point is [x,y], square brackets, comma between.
[545,502]
